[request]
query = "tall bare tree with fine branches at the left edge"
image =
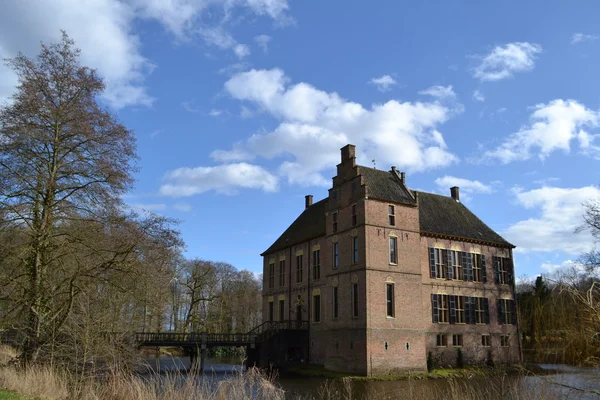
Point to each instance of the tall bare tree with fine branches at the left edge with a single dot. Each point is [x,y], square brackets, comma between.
[64,162]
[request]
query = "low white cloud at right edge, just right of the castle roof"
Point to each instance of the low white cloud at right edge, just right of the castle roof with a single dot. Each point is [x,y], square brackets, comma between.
[560,212]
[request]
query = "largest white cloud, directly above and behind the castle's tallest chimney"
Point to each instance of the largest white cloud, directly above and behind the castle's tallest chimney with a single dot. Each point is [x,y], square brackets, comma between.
[315,124]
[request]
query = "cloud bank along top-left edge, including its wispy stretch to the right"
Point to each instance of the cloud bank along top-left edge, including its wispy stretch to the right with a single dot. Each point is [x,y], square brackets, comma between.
[104,30]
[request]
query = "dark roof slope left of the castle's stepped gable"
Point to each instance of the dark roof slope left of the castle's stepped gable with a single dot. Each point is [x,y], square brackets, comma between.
[310,224]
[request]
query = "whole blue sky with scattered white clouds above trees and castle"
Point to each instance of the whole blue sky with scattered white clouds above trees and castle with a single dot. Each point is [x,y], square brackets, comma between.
[240,107]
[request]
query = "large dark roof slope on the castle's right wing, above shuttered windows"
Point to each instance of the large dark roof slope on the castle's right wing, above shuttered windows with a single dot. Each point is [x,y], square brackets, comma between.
[443,215]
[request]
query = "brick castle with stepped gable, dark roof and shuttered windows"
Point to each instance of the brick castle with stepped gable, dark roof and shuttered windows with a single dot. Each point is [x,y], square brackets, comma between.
[388,276]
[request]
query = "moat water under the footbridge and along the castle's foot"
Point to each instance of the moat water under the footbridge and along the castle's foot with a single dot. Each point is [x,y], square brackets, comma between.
[552,386]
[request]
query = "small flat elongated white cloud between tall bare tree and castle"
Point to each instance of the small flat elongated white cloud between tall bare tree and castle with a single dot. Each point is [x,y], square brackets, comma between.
[224,179]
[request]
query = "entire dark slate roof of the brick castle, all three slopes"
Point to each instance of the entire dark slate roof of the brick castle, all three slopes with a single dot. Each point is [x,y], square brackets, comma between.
[438,214]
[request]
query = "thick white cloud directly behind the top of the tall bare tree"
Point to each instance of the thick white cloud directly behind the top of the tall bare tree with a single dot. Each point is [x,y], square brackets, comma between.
[99,28]
